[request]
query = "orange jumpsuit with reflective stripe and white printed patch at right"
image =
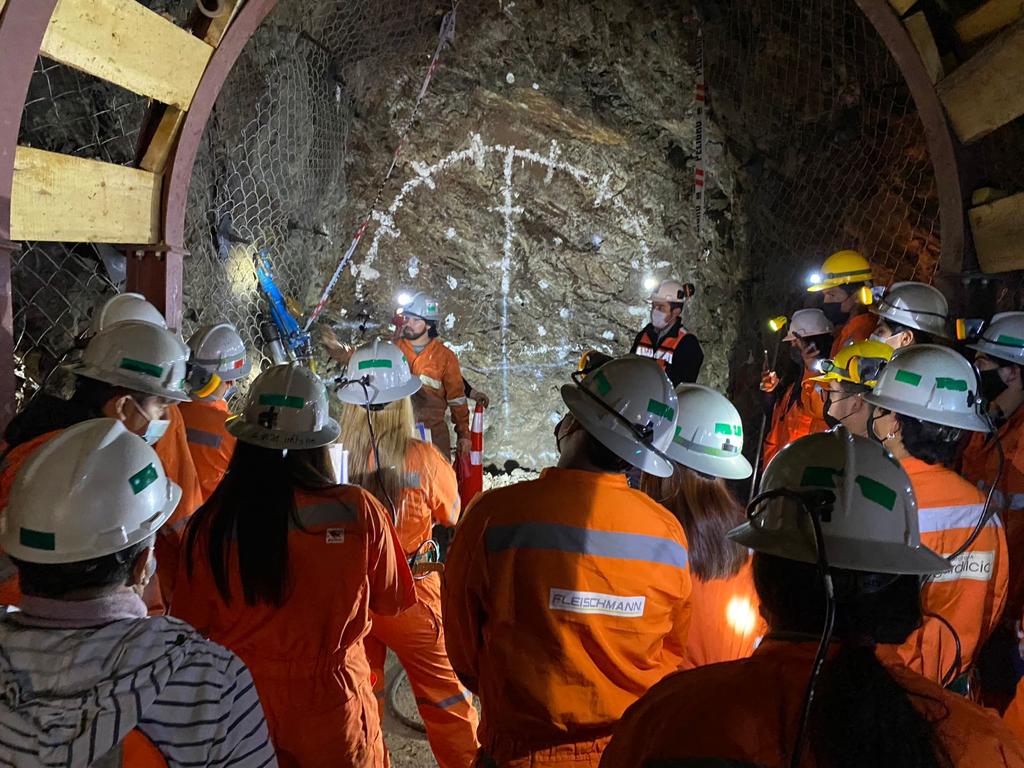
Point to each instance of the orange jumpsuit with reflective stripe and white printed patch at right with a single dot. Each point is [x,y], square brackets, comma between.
[972,595]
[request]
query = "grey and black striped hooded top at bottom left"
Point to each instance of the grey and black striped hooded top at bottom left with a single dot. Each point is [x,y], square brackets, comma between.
[71,695]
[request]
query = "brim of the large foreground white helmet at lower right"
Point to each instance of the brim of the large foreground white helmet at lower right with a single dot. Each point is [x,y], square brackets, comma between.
[876,558]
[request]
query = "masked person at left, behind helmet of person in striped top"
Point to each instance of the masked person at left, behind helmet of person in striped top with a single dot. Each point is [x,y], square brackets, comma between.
[132,371]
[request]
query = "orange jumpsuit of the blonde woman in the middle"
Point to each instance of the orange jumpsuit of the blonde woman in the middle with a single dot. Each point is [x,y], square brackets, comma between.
[416,636]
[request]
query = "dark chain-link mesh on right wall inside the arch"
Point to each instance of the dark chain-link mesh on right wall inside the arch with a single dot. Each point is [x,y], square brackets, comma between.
[835,149]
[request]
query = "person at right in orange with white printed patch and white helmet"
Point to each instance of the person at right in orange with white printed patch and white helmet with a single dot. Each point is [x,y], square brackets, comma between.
[925,398]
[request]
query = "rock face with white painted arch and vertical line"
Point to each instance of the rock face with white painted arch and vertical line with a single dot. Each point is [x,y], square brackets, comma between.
[549,175]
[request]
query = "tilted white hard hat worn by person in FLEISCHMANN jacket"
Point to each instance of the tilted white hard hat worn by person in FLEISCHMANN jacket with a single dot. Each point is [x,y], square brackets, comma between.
[629,407]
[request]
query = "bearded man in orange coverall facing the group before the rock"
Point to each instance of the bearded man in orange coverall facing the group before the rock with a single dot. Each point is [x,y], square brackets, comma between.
[437,366]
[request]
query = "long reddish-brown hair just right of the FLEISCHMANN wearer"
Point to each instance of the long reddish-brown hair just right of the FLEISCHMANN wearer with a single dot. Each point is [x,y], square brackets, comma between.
[708,511]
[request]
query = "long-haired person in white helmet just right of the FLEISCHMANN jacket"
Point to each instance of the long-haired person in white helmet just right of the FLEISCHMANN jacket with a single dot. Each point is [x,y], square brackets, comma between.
[708,451]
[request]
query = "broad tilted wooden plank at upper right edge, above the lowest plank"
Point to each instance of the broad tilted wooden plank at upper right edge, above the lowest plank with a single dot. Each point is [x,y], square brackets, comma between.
[988,92]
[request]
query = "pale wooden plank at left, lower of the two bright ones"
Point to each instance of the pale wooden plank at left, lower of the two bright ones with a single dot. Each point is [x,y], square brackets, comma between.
[61,198]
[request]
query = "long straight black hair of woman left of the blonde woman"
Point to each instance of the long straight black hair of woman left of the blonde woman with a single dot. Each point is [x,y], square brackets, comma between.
[253,508]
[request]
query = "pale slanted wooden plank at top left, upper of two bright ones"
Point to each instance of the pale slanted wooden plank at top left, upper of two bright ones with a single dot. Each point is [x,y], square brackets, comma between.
[125,44]
